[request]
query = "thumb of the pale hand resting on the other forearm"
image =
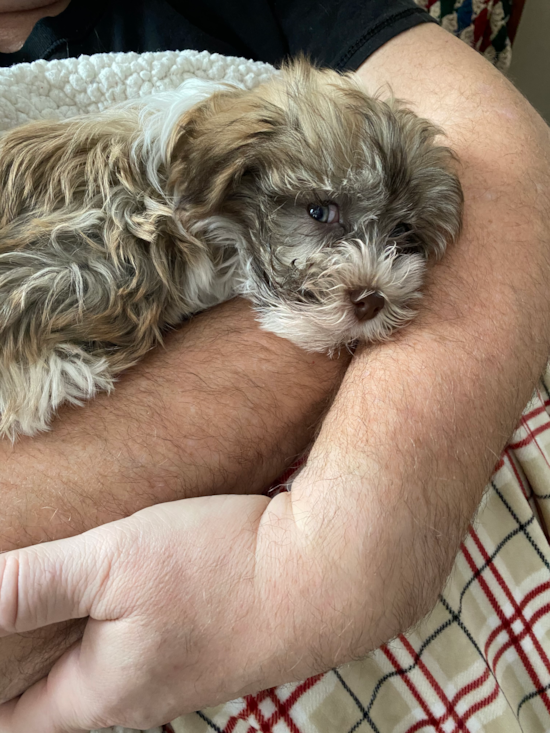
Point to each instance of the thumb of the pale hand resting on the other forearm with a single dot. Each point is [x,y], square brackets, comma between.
[52,582]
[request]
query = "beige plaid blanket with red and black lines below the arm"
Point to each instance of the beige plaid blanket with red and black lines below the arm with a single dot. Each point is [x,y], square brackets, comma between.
[479,662]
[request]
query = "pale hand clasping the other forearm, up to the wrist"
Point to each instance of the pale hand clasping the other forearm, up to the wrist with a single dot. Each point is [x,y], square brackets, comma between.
[177,611]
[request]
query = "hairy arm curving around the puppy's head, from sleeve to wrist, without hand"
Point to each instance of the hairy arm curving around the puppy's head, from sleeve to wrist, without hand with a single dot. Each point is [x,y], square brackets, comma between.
[417,427]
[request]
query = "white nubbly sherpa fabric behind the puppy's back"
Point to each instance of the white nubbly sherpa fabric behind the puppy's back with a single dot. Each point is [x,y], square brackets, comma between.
[69,87]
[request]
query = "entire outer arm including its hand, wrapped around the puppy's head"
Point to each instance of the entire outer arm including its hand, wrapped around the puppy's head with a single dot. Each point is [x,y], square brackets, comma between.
[370,530]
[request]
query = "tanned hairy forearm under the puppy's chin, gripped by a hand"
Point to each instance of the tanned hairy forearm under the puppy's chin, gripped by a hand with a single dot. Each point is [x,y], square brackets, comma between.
[222,409]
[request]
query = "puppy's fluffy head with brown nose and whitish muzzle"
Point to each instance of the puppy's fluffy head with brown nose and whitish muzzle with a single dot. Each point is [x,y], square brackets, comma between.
[335,200]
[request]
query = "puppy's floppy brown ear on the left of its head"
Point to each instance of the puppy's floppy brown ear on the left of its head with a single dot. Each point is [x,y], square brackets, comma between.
[214,144]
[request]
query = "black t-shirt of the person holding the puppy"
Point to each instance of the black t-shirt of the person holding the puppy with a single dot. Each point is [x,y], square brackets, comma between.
[336,33]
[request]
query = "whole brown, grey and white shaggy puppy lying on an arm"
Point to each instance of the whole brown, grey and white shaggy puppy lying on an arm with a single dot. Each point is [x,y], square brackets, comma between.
[318,203]
